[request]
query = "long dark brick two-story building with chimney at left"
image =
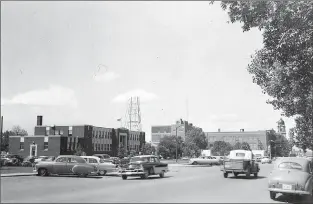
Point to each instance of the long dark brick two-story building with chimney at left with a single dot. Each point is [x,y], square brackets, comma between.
[61,140]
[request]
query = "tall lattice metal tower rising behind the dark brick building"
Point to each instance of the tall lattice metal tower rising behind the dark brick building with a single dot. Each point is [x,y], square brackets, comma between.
[133,115]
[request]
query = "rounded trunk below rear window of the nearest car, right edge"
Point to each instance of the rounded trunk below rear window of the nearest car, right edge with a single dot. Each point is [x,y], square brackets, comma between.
[289,176]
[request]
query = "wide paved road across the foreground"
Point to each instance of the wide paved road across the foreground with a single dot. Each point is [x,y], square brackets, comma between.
[182,184]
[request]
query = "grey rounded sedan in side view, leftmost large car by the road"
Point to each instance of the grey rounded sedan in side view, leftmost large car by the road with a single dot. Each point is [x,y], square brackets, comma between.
[66,165]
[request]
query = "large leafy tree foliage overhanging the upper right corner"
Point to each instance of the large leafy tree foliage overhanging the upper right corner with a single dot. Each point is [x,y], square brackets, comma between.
[283,68]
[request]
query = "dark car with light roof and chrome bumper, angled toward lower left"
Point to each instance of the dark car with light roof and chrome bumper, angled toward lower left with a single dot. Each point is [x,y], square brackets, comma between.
[143,166]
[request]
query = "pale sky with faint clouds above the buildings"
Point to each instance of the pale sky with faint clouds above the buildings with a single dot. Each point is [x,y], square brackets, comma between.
[79,62]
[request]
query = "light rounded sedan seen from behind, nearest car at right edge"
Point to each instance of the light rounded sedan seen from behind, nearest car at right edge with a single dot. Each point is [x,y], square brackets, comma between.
[291,175]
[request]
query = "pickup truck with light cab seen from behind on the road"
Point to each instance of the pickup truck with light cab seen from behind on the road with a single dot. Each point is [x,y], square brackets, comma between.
[240,162]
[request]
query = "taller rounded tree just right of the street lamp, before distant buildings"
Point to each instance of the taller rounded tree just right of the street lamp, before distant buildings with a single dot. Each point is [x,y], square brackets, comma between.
[195,142]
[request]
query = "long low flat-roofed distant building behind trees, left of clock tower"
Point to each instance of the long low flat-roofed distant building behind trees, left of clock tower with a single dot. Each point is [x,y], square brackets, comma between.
[256,139]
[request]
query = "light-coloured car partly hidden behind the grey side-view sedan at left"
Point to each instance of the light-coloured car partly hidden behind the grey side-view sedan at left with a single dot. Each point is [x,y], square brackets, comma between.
[102,165]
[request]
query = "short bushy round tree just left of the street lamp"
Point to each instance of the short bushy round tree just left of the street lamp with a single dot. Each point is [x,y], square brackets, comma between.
[168,144]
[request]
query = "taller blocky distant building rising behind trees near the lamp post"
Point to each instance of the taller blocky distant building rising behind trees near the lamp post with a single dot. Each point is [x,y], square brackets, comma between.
[158,132]
